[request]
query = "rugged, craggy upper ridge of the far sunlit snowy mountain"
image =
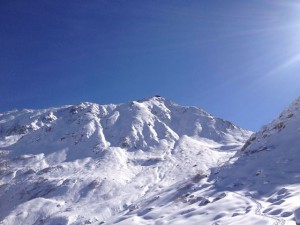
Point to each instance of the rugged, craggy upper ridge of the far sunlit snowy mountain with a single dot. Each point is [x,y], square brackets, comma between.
[92,128]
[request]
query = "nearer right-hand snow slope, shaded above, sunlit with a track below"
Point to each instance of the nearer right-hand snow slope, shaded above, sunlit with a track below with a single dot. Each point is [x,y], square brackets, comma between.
[260,184]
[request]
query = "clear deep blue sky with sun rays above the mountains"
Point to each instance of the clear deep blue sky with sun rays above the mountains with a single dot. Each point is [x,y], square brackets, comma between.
[239,60]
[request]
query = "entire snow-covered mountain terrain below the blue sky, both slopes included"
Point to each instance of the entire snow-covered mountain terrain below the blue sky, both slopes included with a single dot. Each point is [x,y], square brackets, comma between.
[146,162]
